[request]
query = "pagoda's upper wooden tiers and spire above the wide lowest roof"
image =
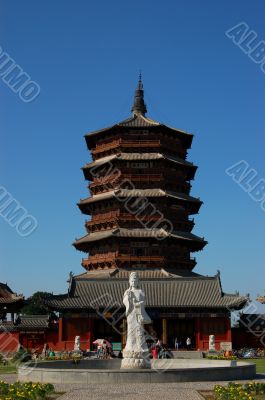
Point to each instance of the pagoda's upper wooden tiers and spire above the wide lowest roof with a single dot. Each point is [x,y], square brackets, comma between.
[140,203]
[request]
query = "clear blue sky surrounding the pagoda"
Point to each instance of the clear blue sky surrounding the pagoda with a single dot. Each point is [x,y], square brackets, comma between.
[85,55]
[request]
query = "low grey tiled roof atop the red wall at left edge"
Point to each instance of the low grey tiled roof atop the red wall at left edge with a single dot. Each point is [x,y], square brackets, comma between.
[26,322]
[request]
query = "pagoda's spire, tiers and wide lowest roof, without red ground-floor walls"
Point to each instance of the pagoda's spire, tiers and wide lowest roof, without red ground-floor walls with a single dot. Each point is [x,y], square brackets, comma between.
[140,207]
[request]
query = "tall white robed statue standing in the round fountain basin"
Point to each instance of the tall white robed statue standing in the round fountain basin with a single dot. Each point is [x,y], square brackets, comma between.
[135,354]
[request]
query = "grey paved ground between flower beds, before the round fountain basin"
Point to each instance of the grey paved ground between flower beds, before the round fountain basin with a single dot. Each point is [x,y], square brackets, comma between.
[135,391]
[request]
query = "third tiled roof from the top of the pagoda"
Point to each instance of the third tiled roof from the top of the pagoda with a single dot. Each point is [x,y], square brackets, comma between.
[139,193]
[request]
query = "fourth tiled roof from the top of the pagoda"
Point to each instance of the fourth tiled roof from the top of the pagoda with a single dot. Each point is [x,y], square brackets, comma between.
[137,233]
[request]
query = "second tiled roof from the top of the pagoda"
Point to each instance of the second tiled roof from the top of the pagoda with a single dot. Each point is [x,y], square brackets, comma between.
[136,157]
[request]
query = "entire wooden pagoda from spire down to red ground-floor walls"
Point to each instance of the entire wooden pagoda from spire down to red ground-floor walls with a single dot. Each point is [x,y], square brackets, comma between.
[141,219]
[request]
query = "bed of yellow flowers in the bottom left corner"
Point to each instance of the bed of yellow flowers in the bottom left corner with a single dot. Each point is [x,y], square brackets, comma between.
[25,391]
